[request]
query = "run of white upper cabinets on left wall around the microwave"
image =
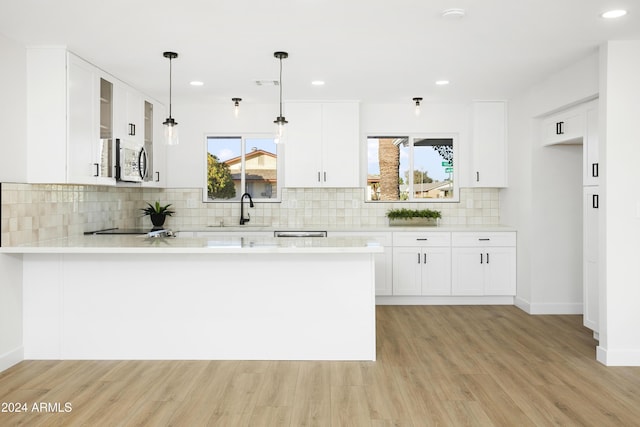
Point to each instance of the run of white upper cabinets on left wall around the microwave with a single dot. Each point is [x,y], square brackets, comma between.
[75,112]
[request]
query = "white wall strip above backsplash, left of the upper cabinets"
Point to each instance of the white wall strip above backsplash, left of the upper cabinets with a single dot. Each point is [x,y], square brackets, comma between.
[13,111]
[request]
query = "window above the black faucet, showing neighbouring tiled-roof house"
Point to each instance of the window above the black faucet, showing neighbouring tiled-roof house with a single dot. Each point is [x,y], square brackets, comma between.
[239,164]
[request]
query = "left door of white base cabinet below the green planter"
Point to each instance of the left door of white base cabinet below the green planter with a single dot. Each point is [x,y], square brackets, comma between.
[407,271]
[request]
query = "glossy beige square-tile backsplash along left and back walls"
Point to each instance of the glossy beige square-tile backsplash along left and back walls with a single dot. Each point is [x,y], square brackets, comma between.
[36,212]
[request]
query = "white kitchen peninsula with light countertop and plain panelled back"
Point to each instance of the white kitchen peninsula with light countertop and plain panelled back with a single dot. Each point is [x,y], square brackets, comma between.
[250,298]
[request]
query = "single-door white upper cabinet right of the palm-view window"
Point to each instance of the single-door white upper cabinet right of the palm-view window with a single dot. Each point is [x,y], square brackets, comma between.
[489,142]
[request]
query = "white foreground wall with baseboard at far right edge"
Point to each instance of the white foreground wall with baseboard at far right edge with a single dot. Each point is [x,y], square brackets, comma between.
[620,216]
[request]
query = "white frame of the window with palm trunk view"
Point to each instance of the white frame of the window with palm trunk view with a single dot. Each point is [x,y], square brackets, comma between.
[413,136]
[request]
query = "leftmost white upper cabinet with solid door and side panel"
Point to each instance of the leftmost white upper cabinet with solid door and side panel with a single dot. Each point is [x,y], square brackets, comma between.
[63,120]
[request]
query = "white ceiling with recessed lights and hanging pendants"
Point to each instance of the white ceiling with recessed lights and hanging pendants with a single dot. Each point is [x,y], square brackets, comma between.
[377,51]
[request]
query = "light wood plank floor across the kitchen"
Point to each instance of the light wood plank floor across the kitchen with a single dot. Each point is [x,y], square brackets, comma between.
[436,365]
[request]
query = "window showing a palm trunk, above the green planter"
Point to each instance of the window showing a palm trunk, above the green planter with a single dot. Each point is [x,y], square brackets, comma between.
[411,168]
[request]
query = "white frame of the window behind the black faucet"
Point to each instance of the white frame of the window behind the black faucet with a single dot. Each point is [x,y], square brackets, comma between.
[244,136]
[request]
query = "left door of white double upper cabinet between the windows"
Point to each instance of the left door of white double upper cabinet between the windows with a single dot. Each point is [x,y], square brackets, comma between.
[303,145]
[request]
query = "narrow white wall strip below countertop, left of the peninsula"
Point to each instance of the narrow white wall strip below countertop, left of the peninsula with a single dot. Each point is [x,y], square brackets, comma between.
[11,351]
